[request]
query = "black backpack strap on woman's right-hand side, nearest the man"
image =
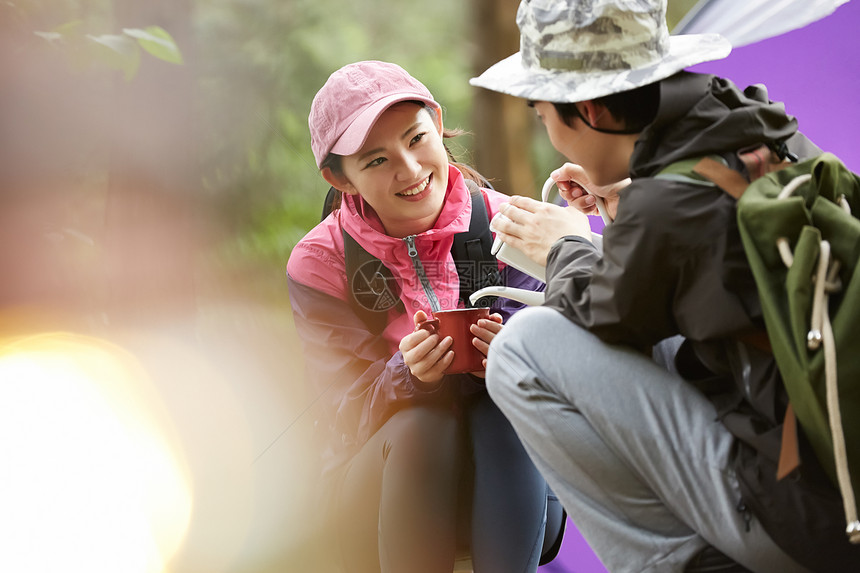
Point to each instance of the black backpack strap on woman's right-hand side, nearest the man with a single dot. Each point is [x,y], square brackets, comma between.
[476,266]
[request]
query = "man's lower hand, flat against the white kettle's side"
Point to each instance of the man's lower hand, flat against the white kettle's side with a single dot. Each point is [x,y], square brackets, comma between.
[534,226]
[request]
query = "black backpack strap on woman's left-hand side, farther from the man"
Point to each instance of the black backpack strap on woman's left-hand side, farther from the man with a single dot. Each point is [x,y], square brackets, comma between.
[372,286]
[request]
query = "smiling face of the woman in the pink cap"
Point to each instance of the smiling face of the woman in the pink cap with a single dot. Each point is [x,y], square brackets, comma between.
[401,171]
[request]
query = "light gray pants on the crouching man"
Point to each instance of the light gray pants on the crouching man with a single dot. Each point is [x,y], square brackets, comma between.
[635,454]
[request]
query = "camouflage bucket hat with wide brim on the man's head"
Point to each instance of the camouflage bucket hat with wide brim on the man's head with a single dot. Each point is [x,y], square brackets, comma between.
[575,50]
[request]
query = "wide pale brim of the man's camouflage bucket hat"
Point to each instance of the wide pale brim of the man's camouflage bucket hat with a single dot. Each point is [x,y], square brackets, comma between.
[509,76]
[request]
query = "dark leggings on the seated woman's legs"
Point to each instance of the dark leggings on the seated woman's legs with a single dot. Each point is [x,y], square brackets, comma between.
[399,496]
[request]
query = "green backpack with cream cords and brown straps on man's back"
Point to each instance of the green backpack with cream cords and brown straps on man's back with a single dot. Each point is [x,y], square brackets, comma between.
[801,234]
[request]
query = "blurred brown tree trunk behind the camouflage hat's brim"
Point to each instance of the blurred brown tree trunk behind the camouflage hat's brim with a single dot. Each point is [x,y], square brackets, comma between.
[503,126]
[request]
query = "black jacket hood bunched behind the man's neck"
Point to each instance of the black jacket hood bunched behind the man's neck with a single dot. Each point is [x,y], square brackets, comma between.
[701,114]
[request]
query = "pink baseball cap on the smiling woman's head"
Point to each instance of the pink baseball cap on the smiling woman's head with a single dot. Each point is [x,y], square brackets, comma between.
[352,99]
